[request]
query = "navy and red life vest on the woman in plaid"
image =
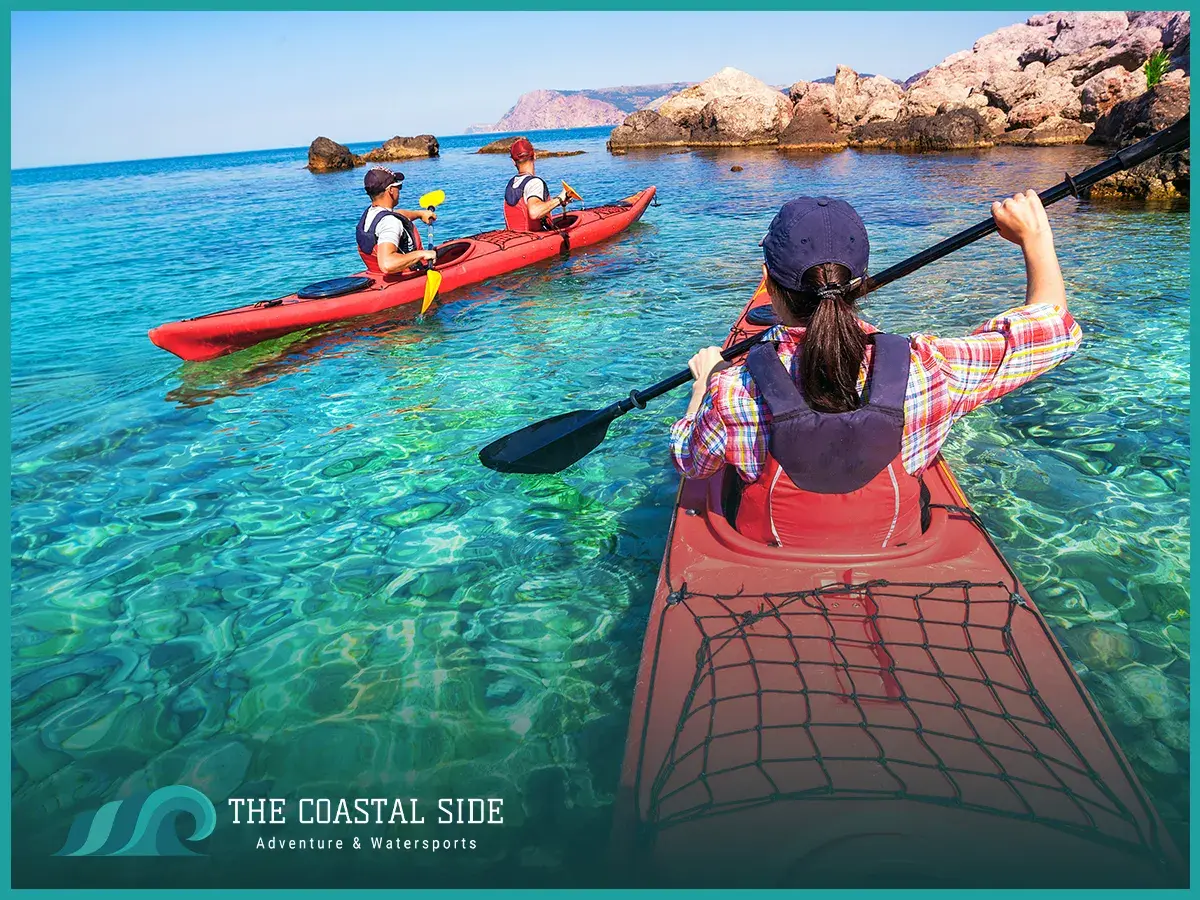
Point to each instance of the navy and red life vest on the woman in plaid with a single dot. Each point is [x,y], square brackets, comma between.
[833,481]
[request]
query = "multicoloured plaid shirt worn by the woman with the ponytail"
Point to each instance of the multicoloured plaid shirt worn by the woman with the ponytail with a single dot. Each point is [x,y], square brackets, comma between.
[947,380]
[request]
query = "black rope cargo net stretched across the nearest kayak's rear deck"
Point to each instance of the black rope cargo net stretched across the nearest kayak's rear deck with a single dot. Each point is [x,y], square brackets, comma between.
[892,691]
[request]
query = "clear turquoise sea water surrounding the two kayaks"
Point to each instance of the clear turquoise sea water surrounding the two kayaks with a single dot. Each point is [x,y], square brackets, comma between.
[285,574]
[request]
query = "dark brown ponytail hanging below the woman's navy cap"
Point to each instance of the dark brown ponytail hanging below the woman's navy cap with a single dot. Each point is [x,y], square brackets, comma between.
[835,343]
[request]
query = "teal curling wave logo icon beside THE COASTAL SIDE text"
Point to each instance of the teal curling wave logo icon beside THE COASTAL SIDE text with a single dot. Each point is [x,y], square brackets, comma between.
[142,826]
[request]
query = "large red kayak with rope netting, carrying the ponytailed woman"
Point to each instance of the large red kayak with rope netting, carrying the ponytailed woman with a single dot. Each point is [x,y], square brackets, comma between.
[901,718]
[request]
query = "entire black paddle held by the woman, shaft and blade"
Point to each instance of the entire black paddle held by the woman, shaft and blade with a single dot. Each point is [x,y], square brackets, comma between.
[554,445]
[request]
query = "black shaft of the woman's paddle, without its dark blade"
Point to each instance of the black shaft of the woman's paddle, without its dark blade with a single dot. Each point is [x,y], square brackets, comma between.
[1172,139]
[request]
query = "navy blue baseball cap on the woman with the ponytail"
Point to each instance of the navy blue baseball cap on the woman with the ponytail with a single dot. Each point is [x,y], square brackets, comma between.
[811,231]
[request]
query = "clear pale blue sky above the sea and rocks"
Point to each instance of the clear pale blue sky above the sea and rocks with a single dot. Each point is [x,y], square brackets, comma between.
[94,87]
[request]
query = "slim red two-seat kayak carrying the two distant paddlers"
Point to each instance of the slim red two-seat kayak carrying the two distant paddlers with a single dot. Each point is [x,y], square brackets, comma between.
[461,262]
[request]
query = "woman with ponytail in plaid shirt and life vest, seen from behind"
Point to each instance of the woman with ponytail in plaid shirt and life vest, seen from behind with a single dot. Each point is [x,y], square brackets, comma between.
[793,419]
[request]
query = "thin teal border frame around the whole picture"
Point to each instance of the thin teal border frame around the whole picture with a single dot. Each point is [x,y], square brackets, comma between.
[514,7]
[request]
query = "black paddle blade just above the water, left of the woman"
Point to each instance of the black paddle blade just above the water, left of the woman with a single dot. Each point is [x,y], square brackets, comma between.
[550,446]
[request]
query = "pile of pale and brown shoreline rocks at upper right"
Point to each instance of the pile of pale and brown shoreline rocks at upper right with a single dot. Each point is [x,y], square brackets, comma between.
[1059,79]
